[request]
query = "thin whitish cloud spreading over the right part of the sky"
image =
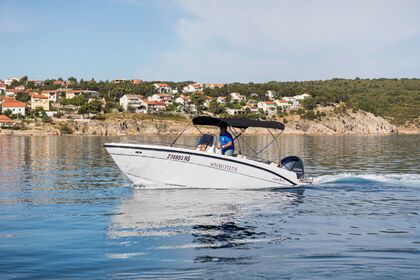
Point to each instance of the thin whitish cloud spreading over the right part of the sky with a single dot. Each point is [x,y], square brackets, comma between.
[288,40]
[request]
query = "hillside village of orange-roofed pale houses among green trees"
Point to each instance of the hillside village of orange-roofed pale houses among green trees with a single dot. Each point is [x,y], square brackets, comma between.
[22,99]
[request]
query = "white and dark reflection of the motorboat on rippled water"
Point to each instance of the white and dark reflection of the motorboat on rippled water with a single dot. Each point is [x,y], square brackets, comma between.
[212,218]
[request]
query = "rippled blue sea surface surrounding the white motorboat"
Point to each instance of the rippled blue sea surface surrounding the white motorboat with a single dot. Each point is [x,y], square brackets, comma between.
[66,211]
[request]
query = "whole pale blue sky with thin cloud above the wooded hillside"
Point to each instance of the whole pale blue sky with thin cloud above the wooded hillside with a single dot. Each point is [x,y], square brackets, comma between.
[210,40]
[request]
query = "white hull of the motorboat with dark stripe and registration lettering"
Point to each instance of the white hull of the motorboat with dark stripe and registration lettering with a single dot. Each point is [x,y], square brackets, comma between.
[162,167]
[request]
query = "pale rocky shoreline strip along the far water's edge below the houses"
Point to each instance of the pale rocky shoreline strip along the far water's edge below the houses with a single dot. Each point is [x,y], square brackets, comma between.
[347,123]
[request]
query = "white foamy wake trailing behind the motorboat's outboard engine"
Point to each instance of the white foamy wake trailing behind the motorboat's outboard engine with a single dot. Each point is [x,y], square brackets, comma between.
[344,178]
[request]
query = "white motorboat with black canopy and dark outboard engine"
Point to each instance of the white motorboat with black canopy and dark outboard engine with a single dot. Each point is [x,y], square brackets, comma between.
[157,166]
